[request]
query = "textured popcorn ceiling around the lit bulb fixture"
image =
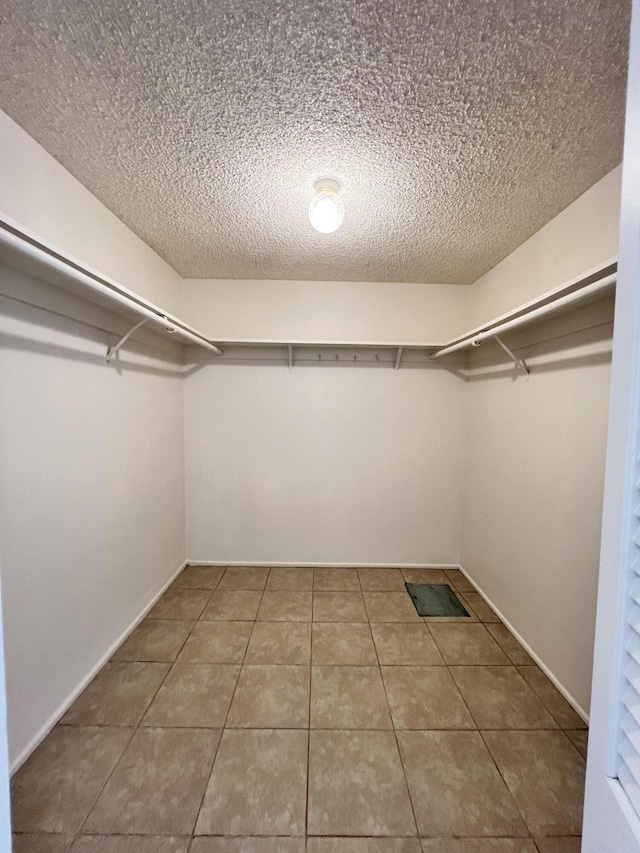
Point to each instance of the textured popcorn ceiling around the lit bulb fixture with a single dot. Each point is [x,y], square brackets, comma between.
[457,127]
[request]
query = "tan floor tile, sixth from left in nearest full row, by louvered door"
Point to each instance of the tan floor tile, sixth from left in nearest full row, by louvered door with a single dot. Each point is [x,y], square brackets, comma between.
[545,774]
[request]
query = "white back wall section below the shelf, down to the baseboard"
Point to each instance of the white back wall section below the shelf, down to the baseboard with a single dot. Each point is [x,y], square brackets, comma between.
[323,464]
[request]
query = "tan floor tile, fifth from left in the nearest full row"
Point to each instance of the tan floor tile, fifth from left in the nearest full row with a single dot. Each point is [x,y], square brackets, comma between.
[455,787]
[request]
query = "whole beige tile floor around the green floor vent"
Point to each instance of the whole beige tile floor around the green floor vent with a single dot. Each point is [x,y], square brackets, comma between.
[309,711]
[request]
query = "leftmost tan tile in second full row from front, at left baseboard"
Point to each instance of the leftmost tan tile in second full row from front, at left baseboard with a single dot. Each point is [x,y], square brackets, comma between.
[118,695]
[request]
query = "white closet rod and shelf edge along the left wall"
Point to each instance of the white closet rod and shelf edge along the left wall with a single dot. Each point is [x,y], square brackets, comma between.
[14,239]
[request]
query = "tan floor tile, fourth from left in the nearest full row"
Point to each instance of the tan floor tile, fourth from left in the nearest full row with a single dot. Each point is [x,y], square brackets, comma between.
[357,785]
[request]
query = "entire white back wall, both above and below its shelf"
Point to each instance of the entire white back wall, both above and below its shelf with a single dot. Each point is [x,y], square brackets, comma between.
[326,464]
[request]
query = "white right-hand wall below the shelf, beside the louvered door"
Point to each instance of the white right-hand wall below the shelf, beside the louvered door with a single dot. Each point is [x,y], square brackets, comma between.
[533,496]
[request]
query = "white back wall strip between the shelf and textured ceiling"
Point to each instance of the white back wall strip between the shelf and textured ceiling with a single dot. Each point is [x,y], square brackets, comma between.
[326,310]
